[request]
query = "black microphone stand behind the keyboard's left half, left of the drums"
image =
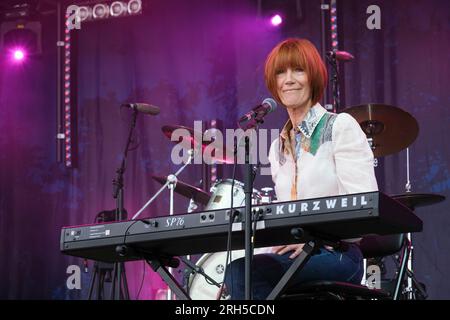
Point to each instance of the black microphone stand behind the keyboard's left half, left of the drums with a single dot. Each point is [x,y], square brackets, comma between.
[118,186]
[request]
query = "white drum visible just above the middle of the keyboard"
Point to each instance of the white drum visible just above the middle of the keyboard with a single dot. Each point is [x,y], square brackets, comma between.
[221,195]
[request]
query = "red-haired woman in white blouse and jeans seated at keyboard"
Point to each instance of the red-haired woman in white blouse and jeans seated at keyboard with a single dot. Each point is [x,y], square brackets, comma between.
[318,154]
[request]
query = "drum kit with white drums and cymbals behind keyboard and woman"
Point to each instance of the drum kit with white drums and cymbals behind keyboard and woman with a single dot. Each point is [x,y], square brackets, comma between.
[389,130]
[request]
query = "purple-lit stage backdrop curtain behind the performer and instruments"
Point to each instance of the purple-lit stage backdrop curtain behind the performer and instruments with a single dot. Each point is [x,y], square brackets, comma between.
[199,60]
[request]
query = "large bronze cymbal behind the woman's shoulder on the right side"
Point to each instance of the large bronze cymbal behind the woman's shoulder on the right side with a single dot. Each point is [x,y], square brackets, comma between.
[391,128]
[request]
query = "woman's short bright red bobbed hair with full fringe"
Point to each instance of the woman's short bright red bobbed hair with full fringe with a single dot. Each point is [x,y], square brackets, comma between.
[296,53]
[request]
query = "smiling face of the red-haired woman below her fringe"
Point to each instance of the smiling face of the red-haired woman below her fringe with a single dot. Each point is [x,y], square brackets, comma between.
[293,88]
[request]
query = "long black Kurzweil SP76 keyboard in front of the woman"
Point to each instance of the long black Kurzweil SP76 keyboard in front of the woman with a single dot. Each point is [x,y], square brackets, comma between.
[339,217]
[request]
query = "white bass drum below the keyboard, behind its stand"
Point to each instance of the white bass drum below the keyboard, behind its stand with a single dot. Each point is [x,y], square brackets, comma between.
[213,264]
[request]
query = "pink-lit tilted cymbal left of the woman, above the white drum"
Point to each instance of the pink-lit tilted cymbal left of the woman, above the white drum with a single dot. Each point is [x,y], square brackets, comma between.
[193,137]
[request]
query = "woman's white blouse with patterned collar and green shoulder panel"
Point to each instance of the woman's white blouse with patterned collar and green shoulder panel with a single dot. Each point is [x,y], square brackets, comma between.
[341,162]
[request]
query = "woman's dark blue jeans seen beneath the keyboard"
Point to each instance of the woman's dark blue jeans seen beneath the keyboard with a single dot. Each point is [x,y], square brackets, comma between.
[331,265]
